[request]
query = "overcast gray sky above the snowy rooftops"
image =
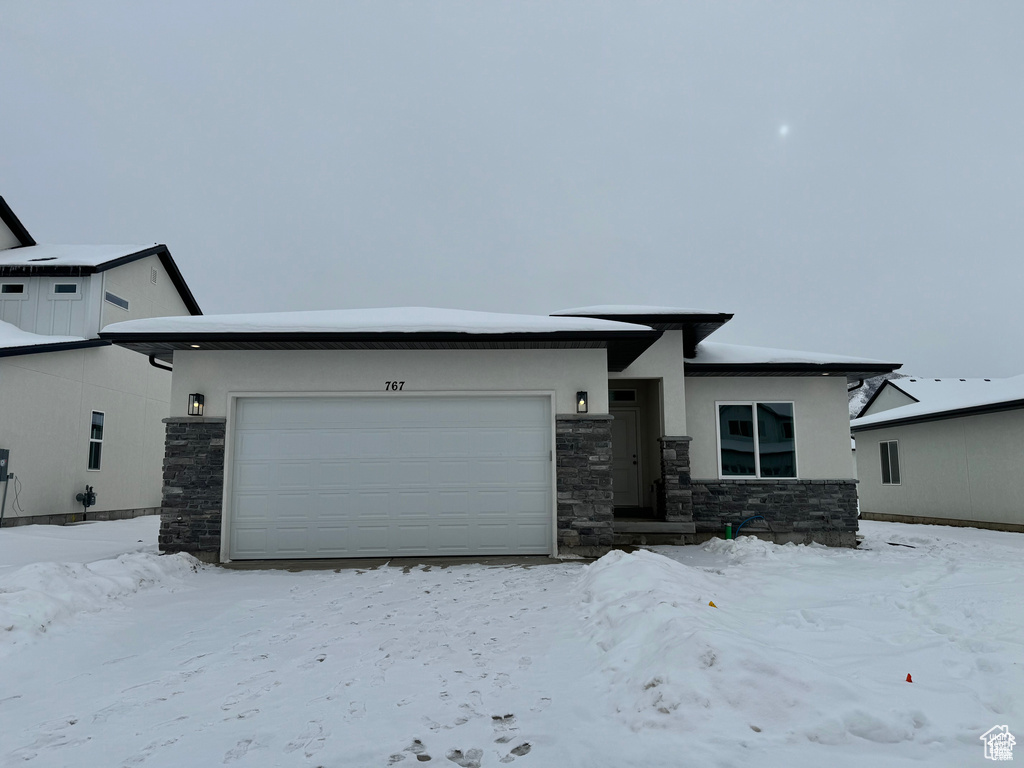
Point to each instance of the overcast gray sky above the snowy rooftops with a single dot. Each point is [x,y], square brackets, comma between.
[845,178]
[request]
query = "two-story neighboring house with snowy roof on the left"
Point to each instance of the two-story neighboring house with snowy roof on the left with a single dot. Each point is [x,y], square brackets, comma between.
[76,410]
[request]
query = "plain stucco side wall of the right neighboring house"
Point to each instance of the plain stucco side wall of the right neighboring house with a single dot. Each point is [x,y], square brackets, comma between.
[962,470]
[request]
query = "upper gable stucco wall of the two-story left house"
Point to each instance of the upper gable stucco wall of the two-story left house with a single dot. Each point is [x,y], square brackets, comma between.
[146,298]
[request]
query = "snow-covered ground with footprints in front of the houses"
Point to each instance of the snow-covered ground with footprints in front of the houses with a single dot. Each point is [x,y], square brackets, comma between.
[141,660]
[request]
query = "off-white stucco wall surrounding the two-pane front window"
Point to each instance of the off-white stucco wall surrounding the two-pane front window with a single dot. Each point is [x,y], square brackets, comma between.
[821,419]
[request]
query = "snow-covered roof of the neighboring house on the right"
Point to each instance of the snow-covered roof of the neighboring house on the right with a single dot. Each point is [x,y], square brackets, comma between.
[937,397]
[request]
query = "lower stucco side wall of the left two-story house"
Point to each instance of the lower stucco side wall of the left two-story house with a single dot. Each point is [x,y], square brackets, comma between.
[49,430]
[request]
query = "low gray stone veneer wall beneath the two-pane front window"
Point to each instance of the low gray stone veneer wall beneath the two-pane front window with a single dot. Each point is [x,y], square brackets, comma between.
[802,511]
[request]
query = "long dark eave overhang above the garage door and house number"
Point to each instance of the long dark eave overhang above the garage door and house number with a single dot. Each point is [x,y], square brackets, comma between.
[623,347]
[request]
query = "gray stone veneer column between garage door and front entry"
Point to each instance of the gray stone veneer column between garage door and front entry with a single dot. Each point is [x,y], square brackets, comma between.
[583,466]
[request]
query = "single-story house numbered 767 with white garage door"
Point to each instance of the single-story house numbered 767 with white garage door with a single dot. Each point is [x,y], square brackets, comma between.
[414,432]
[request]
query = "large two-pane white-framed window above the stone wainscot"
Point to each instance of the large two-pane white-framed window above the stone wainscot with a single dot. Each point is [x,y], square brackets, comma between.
[756,440]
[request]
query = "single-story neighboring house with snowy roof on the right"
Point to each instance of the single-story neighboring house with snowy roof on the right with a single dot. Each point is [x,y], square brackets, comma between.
[944,451]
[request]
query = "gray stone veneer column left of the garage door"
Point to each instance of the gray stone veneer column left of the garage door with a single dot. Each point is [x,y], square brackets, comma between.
[194,483]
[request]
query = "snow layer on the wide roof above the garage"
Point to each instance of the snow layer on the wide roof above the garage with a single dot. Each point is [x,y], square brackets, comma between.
[386,320]
